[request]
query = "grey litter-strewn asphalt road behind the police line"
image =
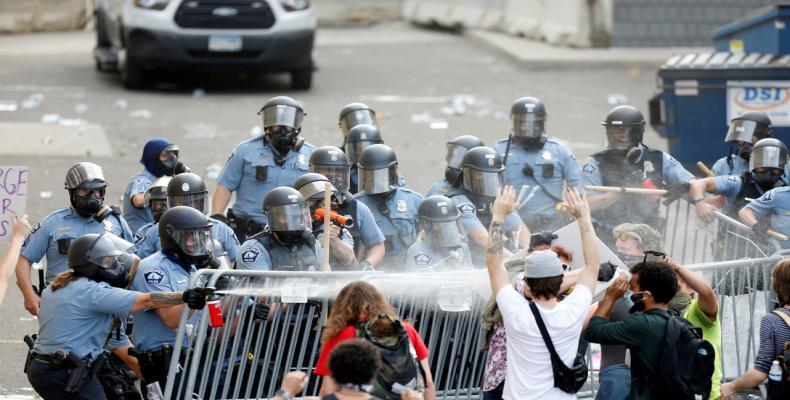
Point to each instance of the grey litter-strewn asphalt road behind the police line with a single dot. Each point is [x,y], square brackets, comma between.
[405,73]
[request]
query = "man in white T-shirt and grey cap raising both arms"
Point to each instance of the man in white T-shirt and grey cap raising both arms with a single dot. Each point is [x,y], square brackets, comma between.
[529,371]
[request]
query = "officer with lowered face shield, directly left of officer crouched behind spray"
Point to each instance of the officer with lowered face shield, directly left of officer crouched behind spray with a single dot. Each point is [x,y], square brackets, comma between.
[394,207]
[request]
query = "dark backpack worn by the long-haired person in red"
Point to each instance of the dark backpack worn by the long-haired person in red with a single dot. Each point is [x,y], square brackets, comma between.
[400,368]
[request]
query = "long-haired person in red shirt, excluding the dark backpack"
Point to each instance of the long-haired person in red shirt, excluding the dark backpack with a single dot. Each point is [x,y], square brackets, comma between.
[358,302]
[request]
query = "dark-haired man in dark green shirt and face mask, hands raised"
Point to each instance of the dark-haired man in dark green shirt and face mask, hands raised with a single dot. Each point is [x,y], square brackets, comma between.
[653,285]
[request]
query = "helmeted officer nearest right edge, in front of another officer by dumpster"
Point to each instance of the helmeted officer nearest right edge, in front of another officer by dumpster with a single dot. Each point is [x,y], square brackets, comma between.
[767,165]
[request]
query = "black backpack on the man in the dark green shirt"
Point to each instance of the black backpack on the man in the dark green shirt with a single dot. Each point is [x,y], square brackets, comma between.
[686,363]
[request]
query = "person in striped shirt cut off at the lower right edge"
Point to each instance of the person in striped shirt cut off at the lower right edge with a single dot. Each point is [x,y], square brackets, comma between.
[774,334]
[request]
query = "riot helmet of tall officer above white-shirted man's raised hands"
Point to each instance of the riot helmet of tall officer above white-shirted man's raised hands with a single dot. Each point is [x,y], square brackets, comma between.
[528,122]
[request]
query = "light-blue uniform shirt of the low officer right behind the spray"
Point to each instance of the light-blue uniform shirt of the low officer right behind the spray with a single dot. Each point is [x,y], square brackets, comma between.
[422,254]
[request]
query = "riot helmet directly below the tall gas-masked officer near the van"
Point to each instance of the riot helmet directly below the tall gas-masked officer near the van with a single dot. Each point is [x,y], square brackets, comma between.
[287,214]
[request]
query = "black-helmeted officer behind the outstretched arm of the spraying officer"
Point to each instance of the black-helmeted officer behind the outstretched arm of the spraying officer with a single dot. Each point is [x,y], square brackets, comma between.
[186,241]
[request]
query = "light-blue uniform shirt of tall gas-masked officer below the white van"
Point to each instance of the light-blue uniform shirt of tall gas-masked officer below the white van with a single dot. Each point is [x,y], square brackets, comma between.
[251,172]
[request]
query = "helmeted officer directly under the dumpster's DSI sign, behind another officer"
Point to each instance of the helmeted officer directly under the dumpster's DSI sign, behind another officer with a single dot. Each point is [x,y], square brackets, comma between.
[745,130]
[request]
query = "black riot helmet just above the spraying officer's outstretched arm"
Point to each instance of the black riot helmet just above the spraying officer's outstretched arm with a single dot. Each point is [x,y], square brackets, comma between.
[186,233]
